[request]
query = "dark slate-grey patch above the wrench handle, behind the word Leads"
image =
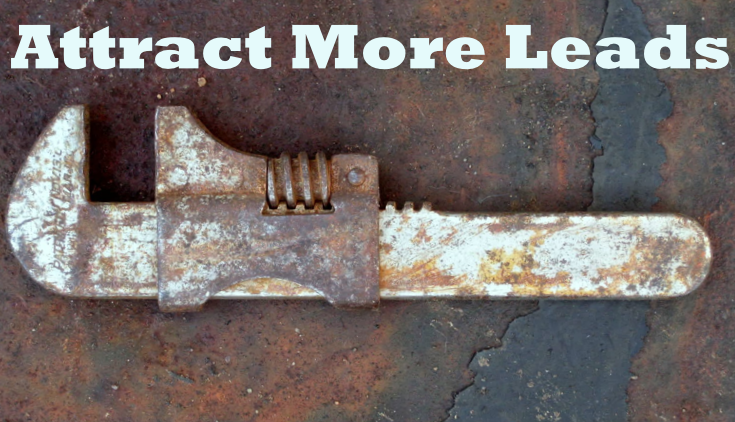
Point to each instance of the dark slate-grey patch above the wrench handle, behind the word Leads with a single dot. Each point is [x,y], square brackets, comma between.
[628,106]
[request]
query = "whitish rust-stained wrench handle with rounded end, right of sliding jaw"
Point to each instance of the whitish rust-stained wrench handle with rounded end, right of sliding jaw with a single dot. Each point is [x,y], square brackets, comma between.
[565,256]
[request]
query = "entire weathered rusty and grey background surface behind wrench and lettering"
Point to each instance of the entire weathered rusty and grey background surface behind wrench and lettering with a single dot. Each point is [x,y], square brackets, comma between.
[482,140]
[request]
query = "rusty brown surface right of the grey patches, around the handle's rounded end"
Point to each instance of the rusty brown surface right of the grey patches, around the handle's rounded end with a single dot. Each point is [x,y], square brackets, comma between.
[685,370]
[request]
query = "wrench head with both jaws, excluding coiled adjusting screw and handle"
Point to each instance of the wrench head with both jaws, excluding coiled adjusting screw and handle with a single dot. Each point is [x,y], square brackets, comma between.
[209,229]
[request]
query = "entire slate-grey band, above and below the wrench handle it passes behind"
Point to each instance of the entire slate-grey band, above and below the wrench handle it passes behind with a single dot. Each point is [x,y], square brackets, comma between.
[575,381]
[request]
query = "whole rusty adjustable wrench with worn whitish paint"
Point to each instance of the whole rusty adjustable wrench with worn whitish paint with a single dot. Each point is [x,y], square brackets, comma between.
[235,225]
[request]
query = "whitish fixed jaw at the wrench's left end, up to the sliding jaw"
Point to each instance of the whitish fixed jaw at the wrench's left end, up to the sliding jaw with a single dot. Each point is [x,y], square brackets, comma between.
[66,243]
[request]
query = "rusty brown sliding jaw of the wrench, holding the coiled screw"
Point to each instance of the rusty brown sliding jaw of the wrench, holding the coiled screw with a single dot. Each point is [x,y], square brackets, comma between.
[213,232]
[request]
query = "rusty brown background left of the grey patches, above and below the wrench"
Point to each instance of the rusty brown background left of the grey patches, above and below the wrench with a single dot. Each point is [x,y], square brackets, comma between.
[523,135]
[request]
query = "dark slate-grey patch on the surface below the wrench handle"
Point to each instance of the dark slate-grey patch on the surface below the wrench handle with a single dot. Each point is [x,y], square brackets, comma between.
[565,362]
